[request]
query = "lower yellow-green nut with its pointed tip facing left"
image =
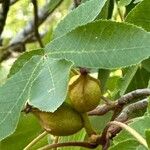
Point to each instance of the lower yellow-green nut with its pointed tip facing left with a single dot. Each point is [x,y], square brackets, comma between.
[64,121]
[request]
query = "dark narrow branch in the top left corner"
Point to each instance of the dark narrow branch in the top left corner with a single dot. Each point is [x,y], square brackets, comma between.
[3,16]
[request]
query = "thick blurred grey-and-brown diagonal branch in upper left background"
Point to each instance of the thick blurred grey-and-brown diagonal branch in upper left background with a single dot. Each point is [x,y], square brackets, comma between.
[27,34]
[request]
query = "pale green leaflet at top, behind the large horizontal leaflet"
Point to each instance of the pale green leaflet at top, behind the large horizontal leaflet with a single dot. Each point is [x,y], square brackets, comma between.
[85,13]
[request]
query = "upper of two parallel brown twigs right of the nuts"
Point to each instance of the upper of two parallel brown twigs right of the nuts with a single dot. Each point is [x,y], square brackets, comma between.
[120,103]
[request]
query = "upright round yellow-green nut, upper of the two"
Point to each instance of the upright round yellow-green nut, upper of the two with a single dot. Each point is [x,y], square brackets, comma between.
[84,92]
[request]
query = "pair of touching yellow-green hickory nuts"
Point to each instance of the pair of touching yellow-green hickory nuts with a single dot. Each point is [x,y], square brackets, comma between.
[83,95]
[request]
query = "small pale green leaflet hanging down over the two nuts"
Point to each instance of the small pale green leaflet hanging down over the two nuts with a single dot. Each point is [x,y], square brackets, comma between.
[49,88]
